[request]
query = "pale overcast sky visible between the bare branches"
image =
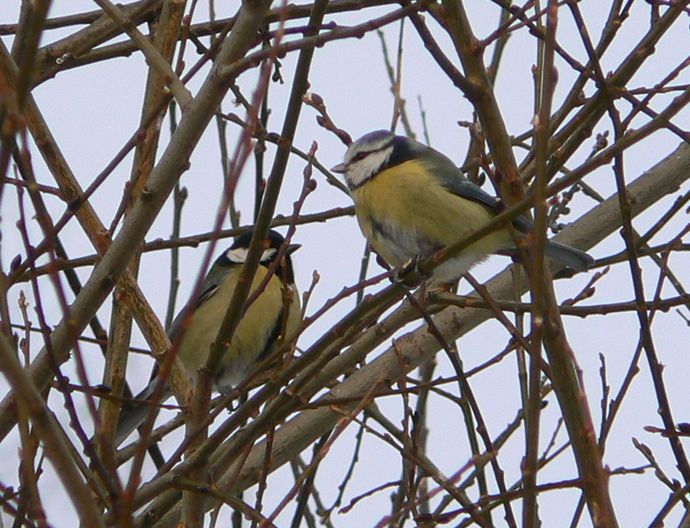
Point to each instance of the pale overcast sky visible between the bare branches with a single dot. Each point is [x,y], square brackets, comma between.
[92,111]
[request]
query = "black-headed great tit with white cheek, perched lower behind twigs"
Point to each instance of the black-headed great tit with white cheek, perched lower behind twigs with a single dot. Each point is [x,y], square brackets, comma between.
[273,316]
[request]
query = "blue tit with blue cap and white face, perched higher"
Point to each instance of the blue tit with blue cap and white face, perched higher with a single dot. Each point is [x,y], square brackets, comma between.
[411,201]
